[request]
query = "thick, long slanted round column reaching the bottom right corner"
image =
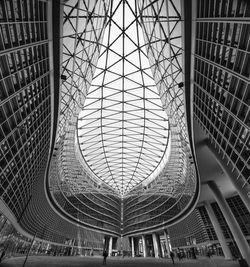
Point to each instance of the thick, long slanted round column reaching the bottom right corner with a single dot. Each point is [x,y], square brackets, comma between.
[231,221]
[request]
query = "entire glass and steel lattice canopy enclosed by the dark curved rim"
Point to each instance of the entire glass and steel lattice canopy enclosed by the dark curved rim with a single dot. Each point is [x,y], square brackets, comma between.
[122,137]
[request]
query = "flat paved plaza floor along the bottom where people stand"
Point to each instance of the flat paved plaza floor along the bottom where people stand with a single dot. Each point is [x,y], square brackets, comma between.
[96,261]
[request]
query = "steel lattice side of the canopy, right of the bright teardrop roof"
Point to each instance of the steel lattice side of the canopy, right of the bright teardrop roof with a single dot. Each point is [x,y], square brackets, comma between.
[162,25]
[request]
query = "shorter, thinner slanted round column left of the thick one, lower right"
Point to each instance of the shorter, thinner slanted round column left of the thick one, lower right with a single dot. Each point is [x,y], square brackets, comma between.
[218,231]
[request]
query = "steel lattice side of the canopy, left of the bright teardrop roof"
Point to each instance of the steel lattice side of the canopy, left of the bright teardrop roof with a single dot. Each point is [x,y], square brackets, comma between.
[83,26]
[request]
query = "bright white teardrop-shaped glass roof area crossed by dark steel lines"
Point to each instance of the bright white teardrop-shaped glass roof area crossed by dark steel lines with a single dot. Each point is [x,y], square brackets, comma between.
[123,131]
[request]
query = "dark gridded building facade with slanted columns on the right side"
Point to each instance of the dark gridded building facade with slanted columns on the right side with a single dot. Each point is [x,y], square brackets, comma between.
[221,120]
